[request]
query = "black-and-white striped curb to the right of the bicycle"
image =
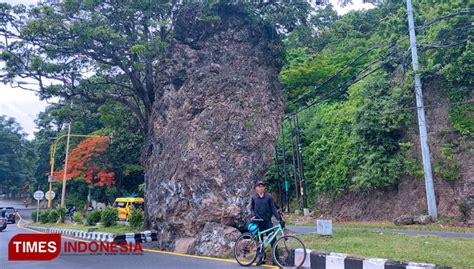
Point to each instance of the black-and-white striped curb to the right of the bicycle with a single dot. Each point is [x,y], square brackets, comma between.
[321,260]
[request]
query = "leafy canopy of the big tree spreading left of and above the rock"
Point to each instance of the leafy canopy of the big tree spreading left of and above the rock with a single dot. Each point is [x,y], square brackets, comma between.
[117,44]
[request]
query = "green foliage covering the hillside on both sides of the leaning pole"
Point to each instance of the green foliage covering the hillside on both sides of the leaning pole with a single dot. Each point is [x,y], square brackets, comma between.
[361,135]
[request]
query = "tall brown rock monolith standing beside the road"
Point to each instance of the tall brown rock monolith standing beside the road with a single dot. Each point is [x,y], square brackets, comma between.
[214,126]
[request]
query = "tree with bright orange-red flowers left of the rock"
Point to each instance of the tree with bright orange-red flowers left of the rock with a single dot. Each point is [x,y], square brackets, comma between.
[88,162]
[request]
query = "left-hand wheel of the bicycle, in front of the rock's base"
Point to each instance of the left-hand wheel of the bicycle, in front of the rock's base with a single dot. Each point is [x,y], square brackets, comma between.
[245,249]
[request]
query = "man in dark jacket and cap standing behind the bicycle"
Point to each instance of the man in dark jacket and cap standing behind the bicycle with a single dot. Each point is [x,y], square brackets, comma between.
[263,207]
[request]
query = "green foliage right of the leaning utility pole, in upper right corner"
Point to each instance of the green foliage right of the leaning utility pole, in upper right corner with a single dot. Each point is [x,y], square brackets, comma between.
[451,58]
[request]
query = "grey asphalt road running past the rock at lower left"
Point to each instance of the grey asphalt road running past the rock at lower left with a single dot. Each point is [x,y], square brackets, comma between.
[149,258]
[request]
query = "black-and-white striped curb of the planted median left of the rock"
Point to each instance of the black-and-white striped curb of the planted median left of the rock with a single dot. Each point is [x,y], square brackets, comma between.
[142,237]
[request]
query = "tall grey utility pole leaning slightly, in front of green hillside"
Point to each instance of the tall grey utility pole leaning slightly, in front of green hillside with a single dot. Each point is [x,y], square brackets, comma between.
[425,151]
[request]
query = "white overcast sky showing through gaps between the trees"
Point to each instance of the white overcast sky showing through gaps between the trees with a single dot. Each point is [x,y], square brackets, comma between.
[24,106]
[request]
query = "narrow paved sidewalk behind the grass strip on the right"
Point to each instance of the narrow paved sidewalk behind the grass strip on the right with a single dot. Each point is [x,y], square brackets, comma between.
[312,229]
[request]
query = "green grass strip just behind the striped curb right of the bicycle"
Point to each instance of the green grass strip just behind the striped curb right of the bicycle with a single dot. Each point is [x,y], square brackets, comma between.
[429,249]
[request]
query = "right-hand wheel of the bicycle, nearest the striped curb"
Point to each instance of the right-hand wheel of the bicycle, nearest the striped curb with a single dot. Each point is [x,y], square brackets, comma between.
[284,251]
